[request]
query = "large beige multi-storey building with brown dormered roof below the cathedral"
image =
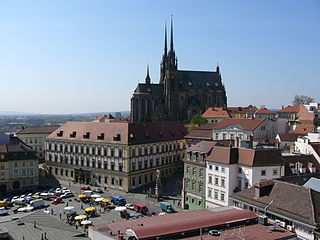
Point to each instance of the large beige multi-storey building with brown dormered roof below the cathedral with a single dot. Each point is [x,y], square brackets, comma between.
[118,155]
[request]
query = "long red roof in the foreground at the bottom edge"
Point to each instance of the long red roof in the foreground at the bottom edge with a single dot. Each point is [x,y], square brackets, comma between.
[176,223]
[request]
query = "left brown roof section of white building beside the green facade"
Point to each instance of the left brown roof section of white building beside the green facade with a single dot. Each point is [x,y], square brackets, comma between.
[224,155]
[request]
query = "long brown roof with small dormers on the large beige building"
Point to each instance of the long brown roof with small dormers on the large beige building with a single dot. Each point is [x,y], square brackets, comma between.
[119,132]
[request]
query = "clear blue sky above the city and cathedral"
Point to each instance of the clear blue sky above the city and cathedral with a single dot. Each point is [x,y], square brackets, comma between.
[80,56]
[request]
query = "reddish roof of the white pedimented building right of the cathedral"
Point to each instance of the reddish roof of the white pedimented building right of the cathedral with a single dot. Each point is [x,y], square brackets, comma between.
[245,124]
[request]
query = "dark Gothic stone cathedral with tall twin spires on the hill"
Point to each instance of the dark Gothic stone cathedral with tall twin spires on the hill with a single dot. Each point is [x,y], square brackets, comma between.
[180,94]
